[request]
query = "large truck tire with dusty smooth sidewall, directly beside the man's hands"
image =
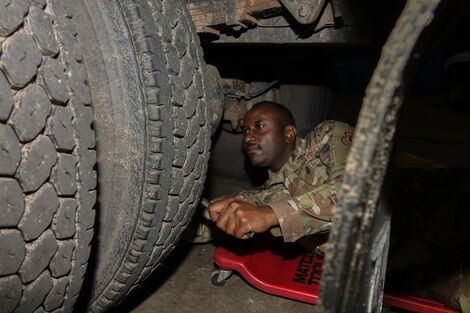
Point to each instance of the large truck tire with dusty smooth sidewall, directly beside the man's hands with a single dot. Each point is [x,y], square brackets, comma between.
[147,78]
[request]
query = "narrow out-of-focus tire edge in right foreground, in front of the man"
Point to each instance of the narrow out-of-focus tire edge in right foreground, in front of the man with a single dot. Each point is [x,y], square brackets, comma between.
[356,258]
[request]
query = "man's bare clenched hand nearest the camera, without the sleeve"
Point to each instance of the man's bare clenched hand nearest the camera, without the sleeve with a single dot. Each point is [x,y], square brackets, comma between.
[237,218]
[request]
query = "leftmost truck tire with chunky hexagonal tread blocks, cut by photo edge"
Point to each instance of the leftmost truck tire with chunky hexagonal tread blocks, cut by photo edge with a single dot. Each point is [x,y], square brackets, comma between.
[47,159]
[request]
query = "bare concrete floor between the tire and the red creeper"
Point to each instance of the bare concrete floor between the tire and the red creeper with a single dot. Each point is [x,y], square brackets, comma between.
[185,287]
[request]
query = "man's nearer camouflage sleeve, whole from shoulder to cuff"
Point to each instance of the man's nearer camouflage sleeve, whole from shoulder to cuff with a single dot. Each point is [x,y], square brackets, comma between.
[310,211]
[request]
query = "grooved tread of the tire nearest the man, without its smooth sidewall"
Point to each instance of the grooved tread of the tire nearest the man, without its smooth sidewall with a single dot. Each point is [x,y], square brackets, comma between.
[169,128]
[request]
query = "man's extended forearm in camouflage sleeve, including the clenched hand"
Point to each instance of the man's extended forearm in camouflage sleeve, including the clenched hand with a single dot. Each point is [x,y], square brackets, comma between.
[297,216]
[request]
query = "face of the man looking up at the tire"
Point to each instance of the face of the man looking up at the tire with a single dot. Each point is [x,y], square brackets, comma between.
[264,139]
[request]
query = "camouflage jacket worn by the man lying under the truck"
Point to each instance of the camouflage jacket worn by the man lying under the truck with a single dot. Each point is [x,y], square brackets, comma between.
[303,192]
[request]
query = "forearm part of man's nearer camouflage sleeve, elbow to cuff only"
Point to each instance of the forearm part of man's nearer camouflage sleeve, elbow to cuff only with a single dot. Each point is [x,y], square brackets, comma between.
[309,213]
